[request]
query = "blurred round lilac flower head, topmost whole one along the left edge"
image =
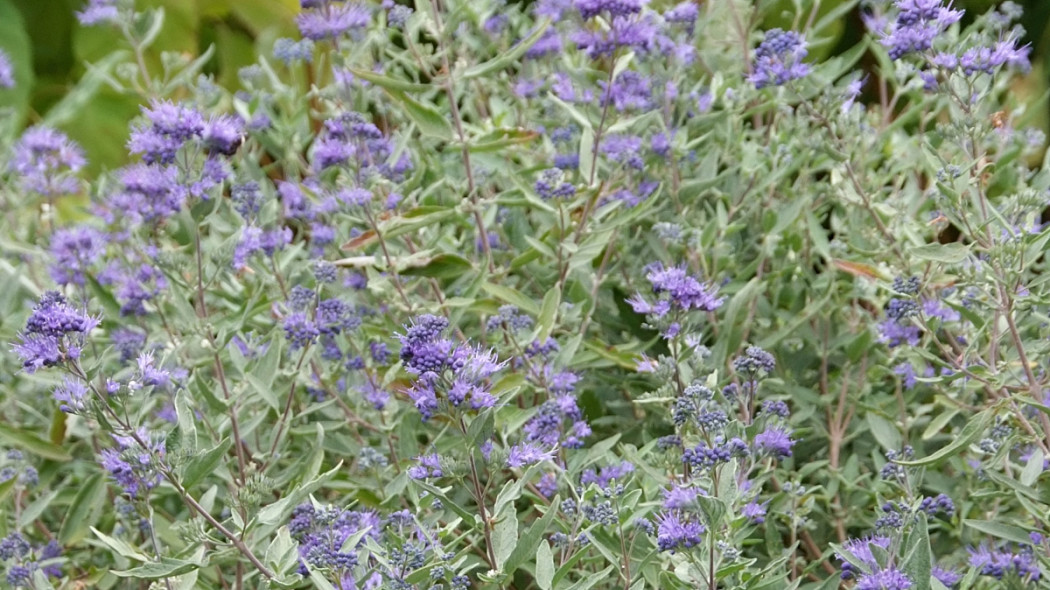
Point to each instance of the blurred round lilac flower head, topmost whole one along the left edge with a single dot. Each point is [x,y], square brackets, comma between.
[46,162]
